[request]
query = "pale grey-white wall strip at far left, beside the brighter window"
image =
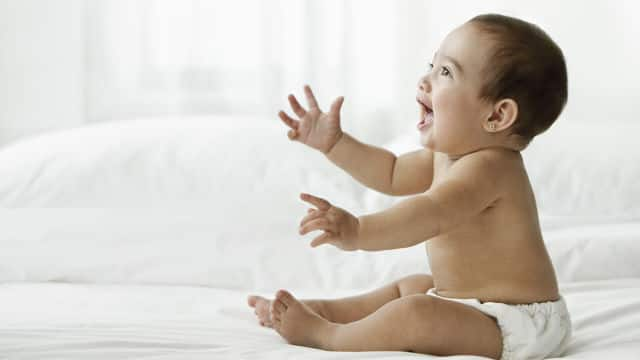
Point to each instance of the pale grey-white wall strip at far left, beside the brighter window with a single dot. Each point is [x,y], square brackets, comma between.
[41,66]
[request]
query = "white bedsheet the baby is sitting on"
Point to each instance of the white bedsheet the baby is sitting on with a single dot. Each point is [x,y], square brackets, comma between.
[82,321]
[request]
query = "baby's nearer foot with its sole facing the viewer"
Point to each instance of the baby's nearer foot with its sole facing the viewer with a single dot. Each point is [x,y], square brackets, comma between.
[297,323]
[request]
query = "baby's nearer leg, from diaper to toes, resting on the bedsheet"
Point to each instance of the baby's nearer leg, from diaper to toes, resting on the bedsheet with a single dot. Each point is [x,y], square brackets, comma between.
[417,323]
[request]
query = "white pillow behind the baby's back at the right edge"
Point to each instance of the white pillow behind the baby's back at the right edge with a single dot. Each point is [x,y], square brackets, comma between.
[587,169]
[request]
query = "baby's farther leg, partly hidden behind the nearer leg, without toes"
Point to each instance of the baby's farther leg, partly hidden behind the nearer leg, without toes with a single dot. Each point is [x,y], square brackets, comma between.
[349,309]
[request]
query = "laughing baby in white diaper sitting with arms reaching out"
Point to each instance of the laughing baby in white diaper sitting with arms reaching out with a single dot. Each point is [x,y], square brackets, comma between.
[494,84]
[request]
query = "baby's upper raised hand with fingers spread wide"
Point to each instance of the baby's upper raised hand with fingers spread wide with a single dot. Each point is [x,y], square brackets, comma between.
[315,128]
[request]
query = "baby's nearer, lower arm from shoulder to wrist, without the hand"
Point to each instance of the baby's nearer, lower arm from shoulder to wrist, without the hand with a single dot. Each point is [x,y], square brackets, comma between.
[469,187]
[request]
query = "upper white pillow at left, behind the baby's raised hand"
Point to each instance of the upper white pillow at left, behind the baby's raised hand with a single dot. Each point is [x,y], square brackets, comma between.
[167,162]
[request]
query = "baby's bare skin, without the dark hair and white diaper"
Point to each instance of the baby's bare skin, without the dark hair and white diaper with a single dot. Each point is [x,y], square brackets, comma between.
[473,206]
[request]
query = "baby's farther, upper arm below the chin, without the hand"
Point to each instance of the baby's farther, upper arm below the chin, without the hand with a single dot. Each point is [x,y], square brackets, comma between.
[381,170]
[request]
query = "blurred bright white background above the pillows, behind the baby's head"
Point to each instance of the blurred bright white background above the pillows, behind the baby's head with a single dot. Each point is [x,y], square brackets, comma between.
[68,62]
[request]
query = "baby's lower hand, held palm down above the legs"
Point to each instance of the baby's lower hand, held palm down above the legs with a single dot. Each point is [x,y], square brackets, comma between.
[340,227]
